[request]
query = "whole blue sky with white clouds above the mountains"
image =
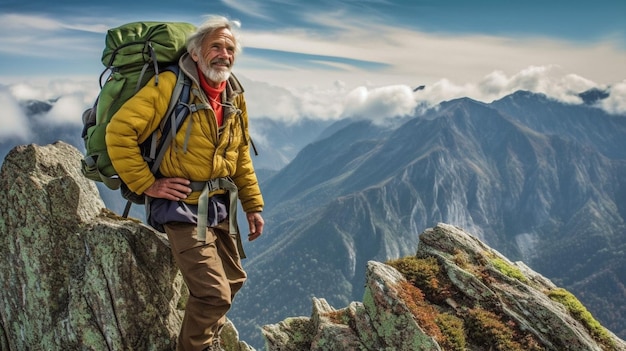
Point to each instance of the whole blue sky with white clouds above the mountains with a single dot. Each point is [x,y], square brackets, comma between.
[331,59]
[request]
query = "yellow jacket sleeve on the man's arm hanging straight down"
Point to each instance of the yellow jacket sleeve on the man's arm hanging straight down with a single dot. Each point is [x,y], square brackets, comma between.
[245,176]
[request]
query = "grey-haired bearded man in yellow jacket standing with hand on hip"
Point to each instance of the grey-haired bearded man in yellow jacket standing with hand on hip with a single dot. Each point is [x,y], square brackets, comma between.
[195,180]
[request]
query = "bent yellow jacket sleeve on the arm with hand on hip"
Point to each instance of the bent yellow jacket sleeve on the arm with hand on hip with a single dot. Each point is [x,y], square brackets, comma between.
[132,124]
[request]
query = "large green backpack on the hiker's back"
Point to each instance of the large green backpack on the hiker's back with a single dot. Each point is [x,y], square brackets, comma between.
[133,54]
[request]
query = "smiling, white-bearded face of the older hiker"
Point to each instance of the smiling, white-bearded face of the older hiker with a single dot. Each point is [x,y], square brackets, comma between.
[216,56]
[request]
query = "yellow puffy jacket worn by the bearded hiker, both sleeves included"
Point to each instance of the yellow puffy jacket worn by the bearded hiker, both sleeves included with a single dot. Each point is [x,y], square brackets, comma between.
[199,152]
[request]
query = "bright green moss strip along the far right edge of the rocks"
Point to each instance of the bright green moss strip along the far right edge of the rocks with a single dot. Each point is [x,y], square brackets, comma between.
[578,311]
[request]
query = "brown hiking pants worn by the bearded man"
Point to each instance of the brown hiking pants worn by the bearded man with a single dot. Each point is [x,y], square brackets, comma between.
[213,274]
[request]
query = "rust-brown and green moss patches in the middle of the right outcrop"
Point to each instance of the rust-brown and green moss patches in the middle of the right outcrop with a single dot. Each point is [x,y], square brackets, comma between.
[425,294]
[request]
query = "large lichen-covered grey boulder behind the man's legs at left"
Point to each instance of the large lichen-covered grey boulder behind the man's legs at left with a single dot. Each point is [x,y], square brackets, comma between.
[73,275]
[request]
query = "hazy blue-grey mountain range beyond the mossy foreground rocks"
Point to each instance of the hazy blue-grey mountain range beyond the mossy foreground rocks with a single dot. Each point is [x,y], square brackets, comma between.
[538,180]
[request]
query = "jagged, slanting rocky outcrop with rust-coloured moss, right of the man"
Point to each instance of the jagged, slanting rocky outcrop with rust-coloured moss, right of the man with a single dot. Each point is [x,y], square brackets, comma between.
[455,294]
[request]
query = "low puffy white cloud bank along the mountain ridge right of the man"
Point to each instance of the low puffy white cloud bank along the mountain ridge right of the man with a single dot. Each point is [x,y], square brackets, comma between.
[380,103]
